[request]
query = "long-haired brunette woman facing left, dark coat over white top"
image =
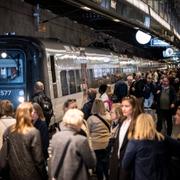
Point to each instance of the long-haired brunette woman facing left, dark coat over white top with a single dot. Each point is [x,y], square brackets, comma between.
[130,110]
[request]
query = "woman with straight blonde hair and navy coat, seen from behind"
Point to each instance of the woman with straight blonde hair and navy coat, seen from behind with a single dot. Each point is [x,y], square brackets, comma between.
[148,153]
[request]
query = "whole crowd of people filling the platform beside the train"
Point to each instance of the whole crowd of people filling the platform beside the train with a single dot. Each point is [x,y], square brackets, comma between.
[113,136]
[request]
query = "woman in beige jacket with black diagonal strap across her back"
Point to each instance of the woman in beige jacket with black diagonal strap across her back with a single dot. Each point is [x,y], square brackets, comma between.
[99,129]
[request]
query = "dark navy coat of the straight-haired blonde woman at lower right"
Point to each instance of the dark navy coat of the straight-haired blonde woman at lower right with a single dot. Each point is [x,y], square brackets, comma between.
[150,159]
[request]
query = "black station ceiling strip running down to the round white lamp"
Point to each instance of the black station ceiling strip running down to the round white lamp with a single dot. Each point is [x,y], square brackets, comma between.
[101,22]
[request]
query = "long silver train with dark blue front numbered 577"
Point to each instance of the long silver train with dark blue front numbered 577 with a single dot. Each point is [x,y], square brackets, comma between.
[64,69]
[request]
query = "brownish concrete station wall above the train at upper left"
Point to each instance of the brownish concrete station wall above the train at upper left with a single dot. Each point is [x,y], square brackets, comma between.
[18,16]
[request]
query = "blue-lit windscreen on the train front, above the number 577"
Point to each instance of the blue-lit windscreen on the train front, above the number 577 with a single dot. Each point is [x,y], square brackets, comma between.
[11,67]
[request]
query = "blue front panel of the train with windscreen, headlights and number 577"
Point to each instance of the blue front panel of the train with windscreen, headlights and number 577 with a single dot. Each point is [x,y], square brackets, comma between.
[12,75]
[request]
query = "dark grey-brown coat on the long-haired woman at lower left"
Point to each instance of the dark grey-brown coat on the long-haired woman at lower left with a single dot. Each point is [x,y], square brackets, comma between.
[25,155]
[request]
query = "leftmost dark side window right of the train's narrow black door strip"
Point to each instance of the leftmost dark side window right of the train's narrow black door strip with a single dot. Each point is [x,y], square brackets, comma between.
[64,84]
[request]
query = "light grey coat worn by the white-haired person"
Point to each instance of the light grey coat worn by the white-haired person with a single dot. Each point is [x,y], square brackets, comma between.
[78,158]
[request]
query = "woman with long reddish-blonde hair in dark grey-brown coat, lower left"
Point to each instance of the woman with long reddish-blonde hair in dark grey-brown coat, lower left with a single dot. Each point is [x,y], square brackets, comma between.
[23,143]
